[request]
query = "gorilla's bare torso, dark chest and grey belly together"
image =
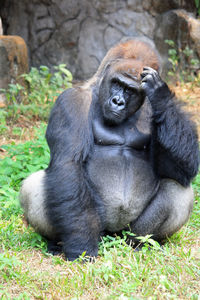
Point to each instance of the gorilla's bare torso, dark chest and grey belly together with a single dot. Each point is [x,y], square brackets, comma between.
[119,168]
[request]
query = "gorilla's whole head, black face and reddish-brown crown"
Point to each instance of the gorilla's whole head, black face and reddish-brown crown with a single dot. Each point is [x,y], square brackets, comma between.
[118,75]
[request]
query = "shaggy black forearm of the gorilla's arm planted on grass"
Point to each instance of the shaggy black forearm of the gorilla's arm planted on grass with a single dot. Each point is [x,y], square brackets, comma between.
[81,228]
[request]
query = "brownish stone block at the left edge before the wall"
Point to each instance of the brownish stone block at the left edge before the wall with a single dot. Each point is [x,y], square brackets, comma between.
[13,60]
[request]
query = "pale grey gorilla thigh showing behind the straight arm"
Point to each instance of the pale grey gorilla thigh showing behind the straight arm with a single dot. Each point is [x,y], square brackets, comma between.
[32,197]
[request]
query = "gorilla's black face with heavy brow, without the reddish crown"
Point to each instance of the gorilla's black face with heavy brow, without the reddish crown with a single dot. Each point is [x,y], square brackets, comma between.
[120,97]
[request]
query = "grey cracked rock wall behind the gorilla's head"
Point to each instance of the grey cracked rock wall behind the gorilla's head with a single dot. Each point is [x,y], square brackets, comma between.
[79,32]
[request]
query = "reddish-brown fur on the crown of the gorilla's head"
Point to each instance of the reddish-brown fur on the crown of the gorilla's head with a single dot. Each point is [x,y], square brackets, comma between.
[130,57]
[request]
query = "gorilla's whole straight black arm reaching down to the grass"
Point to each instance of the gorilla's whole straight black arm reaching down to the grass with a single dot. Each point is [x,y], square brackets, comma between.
[69,199]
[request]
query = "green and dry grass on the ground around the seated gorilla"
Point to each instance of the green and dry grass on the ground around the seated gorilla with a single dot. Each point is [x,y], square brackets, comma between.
[28,272]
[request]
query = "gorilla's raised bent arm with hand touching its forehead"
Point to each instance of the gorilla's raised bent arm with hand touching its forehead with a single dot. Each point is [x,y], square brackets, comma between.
[174,147]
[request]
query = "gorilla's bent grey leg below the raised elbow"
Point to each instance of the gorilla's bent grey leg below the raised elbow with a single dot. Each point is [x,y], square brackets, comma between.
[166,213]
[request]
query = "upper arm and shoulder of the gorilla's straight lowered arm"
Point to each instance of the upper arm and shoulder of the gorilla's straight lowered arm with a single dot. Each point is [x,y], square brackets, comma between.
[68,134]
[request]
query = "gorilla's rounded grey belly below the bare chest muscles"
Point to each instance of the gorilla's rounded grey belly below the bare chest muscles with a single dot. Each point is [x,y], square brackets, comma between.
[124,181]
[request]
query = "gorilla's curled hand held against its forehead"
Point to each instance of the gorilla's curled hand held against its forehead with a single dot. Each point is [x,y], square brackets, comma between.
[152,84]
